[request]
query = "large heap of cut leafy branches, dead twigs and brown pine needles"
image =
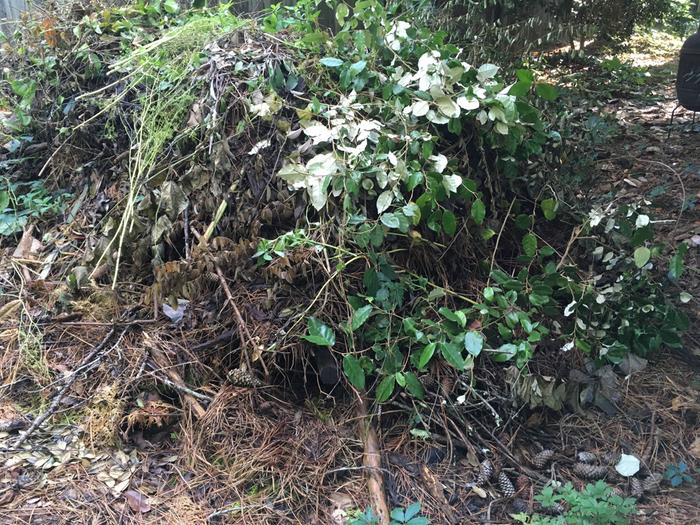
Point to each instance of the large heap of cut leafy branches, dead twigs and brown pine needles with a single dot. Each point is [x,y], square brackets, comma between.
[235,238]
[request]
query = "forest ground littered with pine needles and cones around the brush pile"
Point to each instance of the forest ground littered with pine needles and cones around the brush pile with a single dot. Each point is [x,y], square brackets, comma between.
[156,471]
